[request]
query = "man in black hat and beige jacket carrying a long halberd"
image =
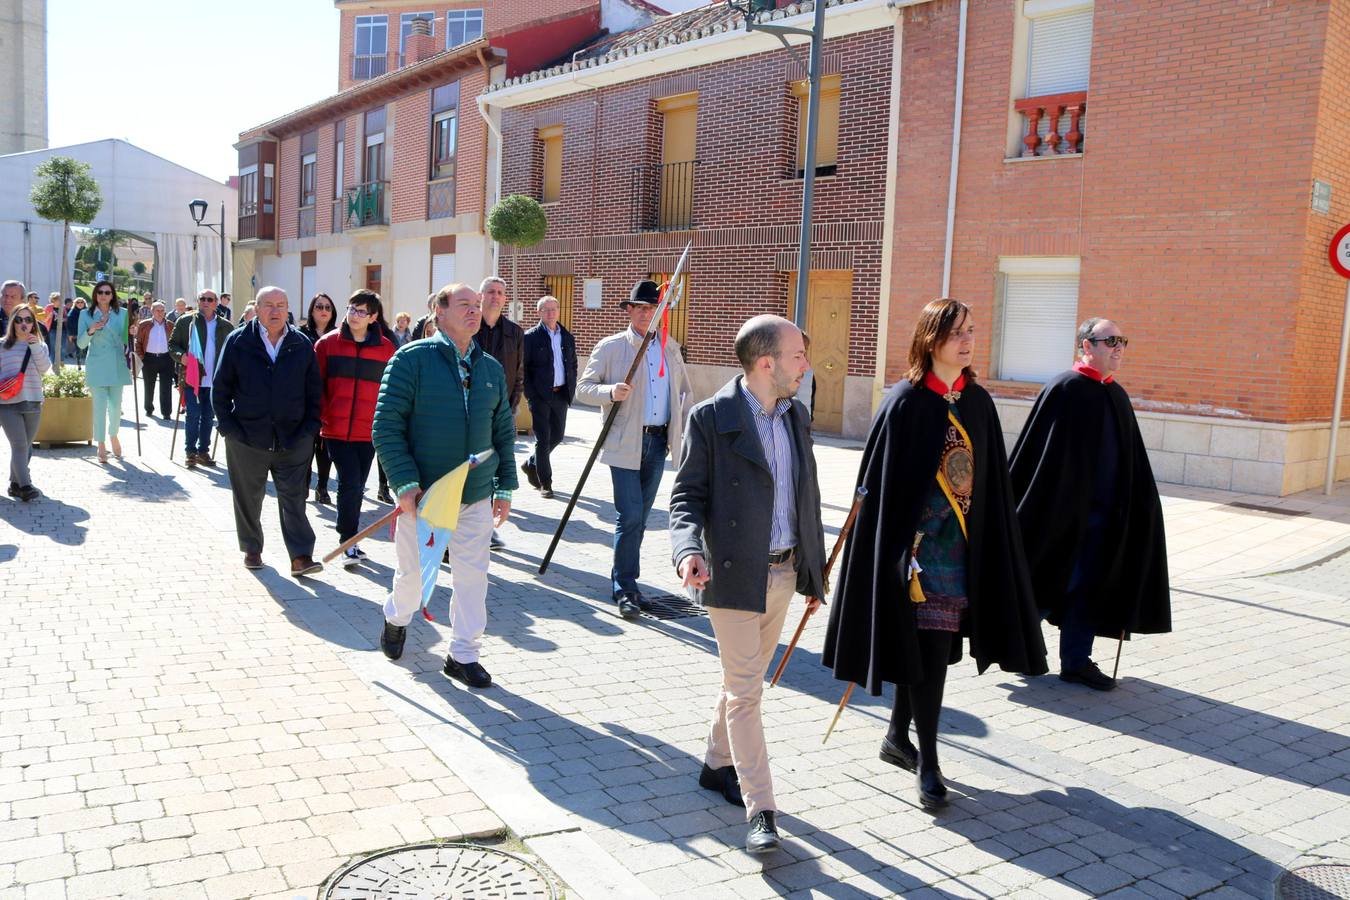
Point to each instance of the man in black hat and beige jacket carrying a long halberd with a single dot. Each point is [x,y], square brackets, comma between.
[649,426]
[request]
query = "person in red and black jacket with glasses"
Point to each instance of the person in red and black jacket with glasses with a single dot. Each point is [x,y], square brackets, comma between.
[352,362]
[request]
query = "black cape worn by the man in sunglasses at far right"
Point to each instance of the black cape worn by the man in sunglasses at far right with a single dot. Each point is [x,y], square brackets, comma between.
[1055,466]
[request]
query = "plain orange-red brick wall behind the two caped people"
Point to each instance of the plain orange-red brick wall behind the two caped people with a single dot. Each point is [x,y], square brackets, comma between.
[1187,208]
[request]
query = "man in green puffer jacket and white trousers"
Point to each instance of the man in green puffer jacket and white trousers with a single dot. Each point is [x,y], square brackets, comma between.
[442,400]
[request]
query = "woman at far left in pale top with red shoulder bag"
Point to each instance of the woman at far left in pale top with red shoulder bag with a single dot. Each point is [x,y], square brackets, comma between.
[22,351]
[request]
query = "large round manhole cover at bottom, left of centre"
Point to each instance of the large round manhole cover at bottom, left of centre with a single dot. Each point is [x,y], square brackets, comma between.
[438,872]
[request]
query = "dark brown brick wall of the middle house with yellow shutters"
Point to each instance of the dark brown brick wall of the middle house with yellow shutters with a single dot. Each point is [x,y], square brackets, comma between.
[747,206]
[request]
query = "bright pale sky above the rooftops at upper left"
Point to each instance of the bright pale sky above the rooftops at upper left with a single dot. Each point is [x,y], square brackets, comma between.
[182,79]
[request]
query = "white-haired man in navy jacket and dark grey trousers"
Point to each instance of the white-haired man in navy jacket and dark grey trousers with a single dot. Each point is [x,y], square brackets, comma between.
[267,397]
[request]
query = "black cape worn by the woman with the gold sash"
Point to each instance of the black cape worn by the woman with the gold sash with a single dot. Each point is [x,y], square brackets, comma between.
[873,635]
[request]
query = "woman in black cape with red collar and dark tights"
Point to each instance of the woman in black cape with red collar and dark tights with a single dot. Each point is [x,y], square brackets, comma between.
[936,554]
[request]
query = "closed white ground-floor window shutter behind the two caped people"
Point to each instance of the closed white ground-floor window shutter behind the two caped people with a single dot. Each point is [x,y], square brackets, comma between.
[1040,319]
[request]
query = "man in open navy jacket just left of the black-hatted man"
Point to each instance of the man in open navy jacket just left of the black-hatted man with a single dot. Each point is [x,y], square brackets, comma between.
[550,387]
